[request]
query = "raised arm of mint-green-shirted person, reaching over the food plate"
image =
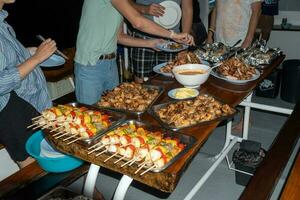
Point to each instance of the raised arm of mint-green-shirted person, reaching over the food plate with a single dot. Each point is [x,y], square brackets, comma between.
[145,25]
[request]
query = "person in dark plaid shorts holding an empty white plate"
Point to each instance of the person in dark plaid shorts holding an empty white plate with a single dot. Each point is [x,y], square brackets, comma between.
[143,59]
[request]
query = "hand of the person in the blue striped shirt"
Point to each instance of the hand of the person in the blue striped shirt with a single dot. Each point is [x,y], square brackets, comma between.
[45,50]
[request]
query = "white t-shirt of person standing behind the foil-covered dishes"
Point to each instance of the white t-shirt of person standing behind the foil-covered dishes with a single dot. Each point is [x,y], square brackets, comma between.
[232,20]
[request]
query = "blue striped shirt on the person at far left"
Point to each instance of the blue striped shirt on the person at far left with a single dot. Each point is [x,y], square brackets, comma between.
[33,87]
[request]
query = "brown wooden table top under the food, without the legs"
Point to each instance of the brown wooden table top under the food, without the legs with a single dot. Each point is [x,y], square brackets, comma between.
[167,180]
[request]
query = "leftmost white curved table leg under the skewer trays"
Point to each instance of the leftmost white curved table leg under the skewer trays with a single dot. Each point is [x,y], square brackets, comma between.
[90,182]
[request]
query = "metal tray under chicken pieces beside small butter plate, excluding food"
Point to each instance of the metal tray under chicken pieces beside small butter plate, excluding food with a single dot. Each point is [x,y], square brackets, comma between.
[155,108]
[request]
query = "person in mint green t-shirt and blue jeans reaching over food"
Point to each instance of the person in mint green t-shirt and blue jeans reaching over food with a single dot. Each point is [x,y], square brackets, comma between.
[100,30]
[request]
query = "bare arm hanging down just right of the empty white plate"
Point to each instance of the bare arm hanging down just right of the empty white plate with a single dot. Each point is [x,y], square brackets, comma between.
[187,15]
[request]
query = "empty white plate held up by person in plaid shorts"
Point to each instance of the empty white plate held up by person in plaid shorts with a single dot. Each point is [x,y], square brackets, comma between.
[171,16]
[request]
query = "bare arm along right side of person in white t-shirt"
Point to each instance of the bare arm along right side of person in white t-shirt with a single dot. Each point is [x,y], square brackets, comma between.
[256,10]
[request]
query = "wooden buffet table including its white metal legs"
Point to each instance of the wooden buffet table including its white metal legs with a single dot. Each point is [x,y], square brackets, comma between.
[167,180]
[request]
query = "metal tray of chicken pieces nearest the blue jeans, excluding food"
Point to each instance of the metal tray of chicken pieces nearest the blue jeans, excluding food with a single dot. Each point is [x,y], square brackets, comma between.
[160,91]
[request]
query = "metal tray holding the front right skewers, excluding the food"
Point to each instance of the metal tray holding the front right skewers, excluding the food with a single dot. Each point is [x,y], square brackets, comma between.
[184,139]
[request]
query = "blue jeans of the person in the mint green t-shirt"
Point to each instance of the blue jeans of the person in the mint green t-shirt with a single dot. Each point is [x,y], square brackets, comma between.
[92,80]
